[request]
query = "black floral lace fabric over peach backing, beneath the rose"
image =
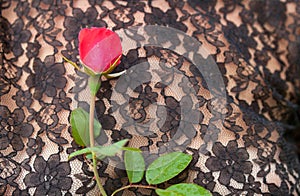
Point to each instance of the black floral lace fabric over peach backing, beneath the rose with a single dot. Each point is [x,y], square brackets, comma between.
[238,143]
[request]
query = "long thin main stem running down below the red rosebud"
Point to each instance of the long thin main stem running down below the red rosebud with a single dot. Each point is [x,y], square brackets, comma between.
[92,143]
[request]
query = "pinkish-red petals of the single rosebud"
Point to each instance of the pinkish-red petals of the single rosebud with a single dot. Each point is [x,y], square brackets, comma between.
[99,48]
